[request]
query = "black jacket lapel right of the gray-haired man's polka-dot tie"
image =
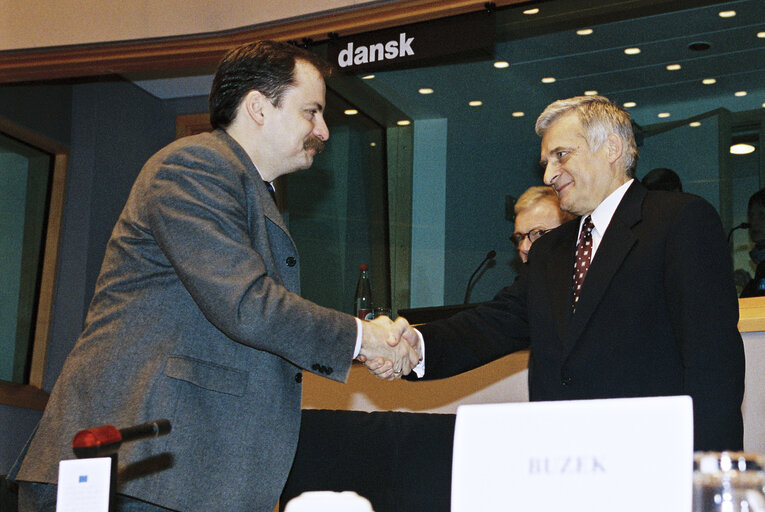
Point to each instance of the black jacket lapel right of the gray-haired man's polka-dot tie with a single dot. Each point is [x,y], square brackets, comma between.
[616,244]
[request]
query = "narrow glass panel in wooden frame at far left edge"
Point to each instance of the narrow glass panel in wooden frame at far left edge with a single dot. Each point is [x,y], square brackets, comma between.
[25,175]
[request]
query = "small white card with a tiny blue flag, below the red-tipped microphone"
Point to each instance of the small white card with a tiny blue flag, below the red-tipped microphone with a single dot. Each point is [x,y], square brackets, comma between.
[83,485]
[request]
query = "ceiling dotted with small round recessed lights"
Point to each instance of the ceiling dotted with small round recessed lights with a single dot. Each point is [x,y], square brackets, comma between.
[547,45]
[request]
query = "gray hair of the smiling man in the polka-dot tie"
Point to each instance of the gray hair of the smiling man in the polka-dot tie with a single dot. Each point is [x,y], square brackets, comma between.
[600,117]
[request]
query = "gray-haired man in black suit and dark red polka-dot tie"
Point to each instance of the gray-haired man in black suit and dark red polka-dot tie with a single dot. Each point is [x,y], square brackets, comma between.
[656,313]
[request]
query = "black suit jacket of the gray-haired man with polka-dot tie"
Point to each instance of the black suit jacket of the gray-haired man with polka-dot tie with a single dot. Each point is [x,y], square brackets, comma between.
[657,315]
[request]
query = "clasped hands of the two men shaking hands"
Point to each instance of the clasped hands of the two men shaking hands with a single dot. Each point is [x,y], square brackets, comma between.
[381,350]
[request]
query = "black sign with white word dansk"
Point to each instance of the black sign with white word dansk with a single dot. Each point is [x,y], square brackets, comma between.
[458,37]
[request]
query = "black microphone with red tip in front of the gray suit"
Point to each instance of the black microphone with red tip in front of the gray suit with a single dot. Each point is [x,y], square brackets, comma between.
[107,439]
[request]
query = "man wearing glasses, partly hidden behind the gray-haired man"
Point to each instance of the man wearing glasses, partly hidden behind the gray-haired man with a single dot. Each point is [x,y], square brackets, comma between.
[536,212]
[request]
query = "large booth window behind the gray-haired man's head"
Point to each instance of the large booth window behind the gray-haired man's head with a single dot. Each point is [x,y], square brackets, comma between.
[490,150]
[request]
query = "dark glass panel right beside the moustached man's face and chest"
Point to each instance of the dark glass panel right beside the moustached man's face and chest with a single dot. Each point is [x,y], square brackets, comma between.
[337,214]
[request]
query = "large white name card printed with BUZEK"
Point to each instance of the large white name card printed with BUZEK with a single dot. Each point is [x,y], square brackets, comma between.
[630,455]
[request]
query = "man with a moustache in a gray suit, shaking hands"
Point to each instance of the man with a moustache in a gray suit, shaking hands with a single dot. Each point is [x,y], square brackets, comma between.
[196,315]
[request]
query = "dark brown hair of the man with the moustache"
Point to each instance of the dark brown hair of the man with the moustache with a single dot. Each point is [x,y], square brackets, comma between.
[265,66]
